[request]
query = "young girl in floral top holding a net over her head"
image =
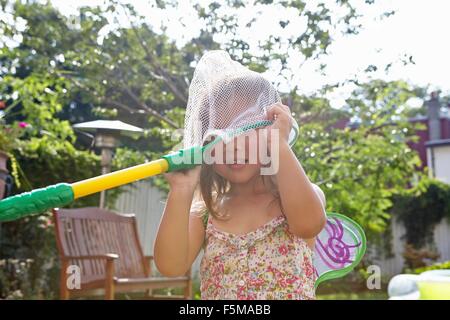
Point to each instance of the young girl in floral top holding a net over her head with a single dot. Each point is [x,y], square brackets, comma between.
[257,231]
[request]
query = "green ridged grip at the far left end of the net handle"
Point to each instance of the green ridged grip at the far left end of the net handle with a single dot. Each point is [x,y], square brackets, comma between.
[36,201]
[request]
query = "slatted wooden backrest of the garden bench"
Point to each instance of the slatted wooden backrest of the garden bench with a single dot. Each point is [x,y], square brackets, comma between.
[94,231]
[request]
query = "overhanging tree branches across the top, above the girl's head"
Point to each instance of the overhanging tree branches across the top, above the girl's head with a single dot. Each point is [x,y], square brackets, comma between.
[136,70]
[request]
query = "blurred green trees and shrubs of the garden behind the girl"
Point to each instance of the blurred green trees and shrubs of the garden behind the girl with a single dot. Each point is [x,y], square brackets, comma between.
[110,62]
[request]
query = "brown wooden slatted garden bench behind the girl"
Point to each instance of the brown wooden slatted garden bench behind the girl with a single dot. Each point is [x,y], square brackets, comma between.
[106,247]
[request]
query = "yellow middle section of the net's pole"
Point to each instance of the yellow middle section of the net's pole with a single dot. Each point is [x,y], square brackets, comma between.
[118,178]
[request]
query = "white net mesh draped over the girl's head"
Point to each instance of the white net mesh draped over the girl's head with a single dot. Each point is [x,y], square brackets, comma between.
[224,95]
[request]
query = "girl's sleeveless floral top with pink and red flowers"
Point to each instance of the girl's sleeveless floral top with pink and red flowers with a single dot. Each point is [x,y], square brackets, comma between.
[266,264]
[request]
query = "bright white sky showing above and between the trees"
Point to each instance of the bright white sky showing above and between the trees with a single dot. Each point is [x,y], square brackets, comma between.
[420,28]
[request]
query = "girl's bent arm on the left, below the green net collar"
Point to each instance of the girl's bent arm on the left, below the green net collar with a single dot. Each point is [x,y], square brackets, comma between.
[180,234]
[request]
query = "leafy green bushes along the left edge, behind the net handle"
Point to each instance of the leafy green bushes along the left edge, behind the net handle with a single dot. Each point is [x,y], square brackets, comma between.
[45,154]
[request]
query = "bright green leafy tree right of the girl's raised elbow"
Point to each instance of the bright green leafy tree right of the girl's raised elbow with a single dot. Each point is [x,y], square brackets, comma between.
[361,164]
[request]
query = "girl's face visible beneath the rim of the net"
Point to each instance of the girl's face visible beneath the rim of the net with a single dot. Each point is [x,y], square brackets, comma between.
[239,159]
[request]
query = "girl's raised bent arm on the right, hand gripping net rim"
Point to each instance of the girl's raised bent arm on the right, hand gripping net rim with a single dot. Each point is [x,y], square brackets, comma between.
[303,202]
